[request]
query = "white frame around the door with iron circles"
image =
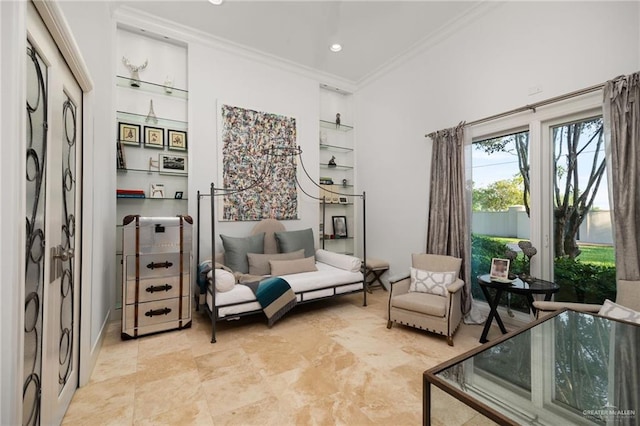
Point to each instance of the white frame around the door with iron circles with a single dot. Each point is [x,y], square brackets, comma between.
[13,32]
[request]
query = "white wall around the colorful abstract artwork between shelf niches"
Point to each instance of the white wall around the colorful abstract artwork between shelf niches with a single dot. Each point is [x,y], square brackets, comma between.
[218,76]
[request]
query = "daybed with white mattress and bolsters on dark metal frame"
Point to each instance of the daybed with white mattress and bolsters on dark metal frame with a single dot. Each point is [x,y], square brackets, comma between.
[336,274]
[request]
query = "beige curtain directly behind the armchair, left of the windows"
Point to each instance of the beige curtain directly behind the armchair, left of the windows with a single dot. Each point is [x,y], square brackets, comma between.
[447,230]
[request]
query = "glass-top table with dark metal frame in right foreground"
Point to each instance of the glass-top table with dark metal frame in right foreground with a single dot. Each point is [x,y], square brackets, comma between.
[566,368]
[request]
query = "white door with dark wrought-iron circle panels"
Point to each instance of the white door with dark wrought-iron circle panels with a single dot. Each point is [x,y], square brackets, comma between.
[53,223]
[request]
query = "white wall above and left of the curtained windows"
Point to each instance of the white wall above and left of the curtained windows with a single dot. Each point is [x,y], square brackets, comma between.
[484,68]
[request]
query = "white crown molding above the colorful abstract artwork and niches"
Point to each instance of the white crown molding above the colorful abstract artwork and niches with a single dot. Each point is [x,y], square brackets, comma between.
[152,25]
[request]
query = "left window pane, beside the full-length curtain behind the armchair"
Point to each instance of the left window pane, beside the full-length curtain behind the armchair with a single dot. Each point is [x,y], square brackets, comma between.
[501,204]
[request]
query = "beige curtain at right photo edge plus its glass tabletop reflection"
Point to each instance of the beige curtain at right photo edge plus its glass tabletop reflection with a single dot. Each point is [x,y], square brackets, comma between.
[622,134]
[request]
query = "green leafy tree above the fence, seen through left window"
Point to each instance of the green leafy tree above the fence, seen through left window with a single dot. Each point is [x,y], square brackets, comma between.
[499,196]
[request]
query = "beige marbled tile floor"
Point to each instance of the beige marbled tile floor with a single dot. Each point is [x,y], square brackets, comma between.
[324,363]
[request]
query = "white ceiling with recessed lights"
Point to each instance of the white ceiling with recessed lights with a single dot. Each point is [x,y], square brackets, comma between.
[373,33]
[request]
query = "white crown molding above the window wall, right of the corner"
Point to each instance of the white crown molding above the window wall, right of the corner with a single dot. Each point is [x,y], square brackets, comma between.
[437,36]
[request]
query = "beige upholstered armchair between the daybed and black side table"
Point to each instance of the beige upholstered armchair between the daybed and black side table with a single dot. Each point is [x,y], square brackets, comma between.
[431,312]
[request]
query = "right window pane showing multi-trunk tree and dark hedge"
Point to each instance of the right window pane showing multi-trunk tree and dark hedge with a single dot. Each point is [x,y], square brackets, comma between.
[584,264]
